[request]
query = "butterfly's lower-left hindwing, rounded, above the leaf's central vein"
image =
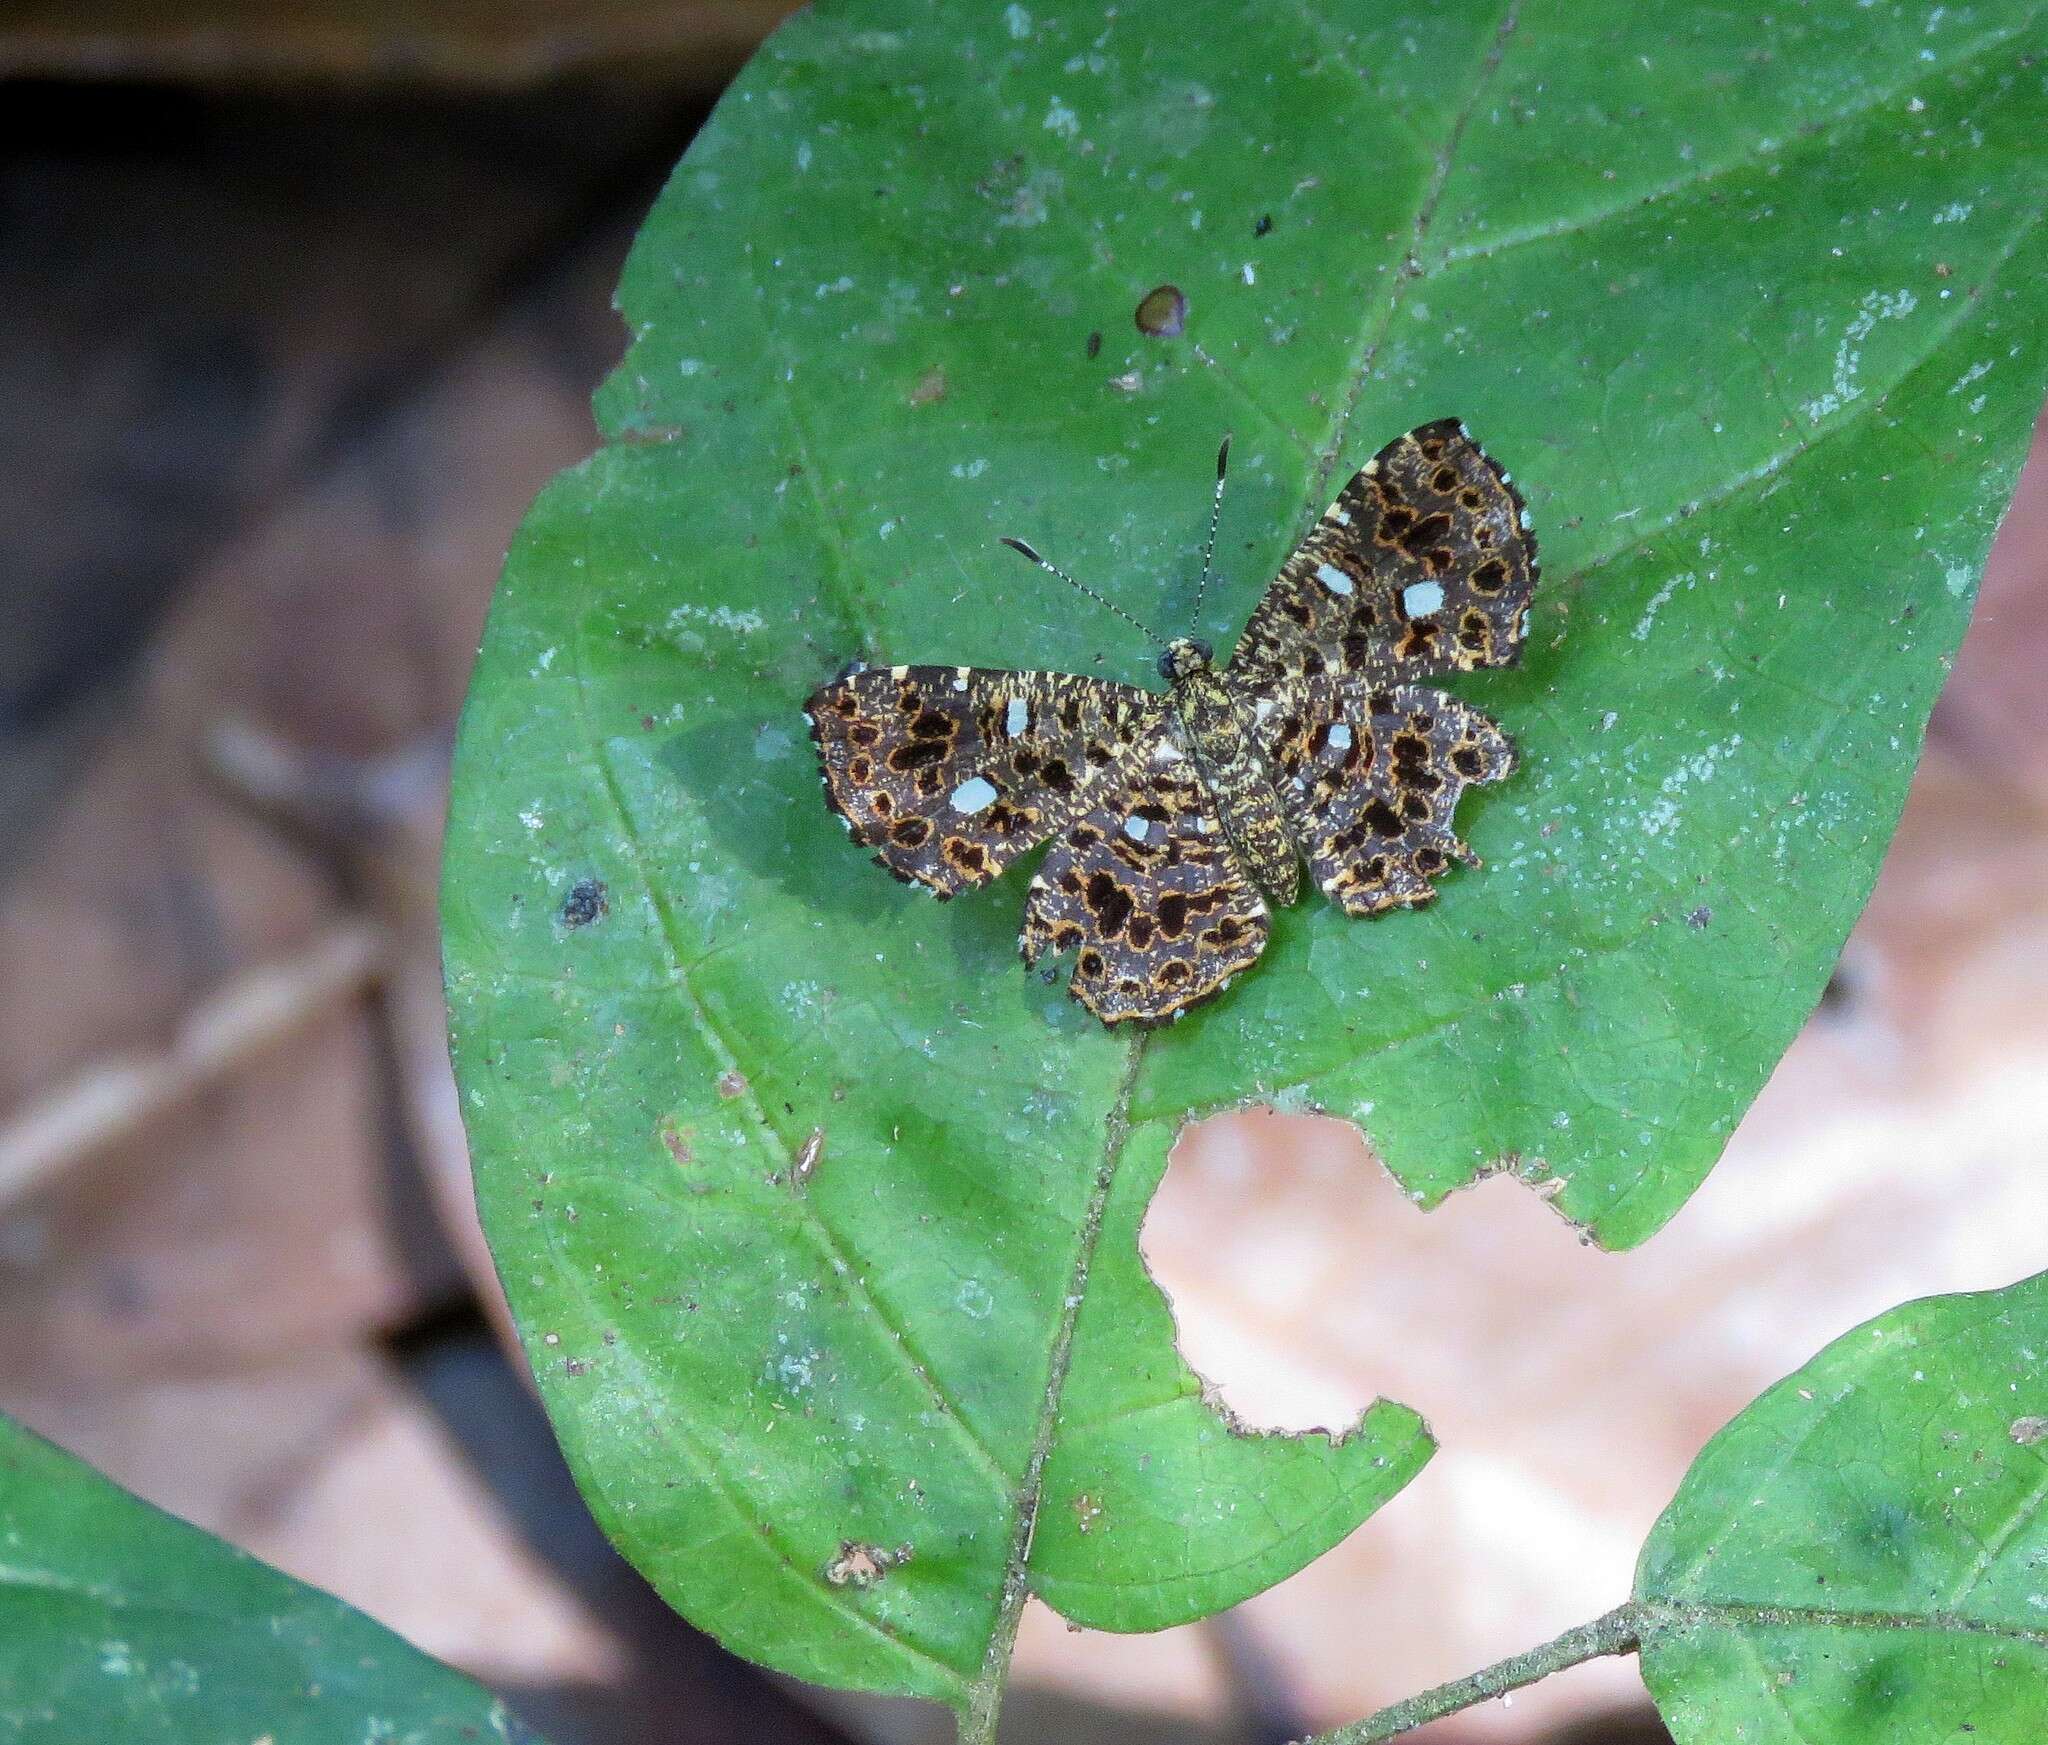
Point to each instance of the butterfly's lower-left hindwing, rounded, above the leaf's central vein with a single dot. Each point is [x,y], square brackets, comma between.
[1144,888]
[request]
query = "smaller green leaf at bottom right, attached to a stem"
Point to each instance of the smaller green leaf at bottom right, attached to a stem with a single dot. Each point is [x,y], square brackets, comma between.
[1865,1551]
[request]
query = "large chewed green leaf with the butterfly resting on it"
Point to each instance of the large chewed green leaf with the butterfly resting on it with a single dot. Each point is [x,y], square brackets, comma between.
[818,1216]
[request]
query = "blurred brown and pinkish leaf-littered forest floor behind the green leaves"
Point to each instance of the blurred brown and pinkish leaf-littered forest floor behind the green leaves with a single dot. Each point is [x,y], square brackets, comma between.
[298,310]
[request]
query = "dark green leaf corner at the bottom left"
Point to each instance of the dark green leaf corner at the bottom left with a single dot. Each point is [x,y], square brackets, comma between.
[120,1623]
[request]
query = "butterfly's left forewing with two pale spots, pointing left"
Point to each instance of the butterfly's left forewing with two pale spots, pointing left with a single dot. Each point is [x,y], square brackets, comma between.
[953,771]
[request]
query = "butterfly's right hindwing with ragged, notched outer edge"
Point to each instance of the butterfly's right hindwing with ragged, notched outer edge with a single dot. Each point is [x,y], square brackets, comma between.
[1371,779]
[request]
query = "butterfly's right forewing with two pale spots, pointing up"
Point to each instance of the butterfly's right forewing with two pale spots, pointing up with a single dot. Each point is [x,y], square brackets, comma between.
[1422,566]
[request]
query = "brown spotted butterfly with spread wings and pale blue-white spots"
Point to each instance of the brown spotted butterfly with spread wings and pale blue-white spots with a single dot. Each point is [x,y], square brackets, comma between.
[1179,820]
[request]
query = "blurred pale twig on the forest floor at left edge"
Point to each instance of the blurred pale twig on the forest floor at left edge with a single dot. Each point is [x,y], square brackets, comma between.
[122,1095]
